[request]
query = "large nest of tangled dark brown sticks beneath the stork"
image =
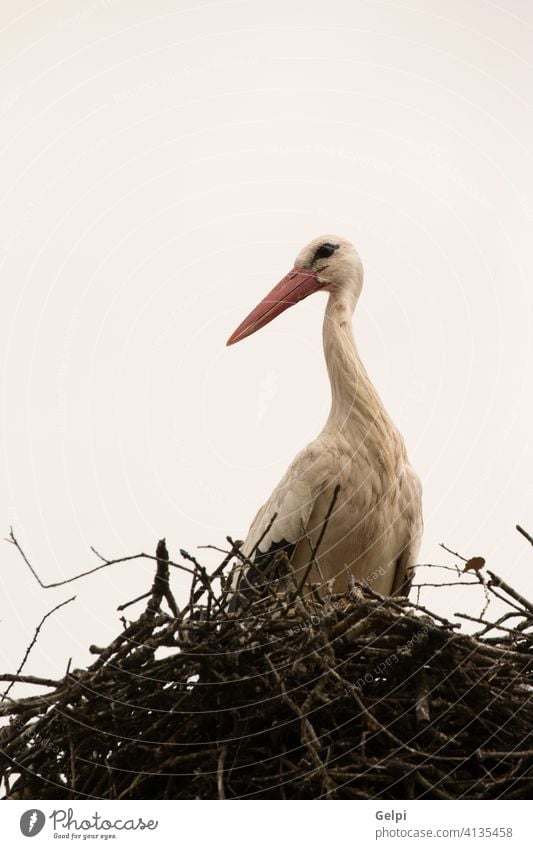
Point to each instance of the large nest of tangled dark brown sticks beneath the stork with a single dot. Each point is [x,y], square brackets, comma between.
[296,696]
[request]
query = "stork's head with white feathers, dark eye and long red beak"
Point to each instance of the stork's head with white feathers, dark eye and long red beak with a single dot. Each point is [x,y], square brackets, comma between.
[328,263]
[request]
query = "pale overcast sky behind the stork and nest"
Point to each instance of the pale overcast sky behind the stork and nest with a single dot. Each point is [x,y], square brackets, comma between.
[162,163]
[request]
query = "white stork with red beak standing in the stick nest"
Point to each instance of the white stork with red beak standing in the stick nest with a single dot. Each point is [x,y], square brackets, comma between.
[374,529]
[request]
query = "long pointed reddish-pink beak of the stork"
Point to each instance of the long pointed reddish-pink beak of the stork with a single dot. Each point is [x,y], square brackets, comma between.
[297,285]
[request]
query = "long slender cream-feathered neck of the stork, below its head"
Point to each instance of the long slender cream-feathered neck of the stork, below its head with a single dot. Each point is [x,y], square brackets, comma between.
[356,409]
